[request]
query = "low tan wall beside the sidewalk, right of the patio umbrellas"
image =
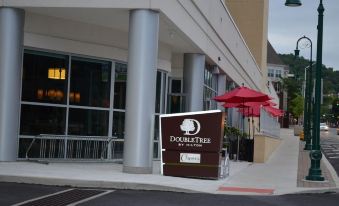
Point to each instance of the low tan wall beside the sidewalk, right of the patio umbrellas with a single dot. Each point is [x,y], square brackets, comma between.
[264,146]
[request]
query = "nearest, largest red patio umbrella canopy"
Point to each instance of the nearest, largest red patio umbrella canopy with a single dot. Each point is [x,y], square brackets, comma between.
[242,95]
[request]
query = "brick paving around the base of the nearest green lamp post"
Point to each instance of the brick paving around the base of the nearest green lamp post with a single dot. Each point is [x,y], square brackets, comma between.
[303,167]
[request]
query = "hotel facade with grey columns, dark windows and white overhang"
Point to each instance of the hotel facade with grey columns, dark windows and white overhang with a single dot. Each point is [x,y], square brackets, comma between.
[84,72]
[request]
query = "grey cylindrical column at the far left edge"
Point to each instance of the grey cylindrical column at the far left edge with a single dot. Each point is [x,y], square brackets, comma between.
[11,45]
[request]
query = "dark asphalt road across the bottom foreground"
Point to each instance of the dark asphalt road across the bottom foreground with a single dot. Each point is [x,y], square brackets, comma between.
[20,194]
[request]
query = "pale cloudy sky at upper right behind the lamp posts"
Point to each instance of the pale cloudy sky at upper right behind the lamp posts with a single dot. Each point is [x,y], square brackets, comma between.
[287,24]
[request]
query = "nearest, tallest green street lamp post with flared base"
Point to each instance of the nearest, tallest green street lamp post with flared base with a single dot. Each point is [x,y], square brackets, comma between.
[314,173]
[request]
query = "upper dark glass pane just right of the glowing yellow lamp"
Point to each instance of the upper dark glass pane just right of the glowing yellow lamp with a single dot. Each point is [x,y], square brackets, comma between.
[90,82]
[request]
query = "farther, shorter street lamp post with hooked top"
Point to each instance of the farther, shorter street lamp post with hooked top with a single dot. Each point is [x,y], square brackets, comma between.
[308,96]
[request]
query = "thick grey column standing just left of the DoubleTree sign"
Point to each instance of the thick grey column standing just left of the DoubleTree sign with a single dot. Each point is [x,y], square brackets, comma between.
[141,88]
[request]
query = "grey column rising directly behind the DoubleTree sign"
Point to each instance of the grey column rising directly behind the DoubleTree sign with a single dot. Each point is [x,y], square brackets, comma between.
[194,65]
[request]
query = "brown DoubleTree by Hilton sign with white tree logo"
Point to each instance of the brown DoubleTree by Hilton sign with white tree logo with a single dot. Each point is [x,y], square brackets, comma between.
[191,144]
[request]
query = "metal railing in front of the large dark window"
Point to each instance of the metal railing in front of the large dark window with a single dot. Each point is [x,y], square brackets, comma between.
[48,146]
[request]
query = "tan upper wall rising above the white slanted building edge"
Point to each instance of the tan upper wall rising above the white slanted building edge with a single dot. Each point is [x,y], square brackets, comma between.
[251,17]
